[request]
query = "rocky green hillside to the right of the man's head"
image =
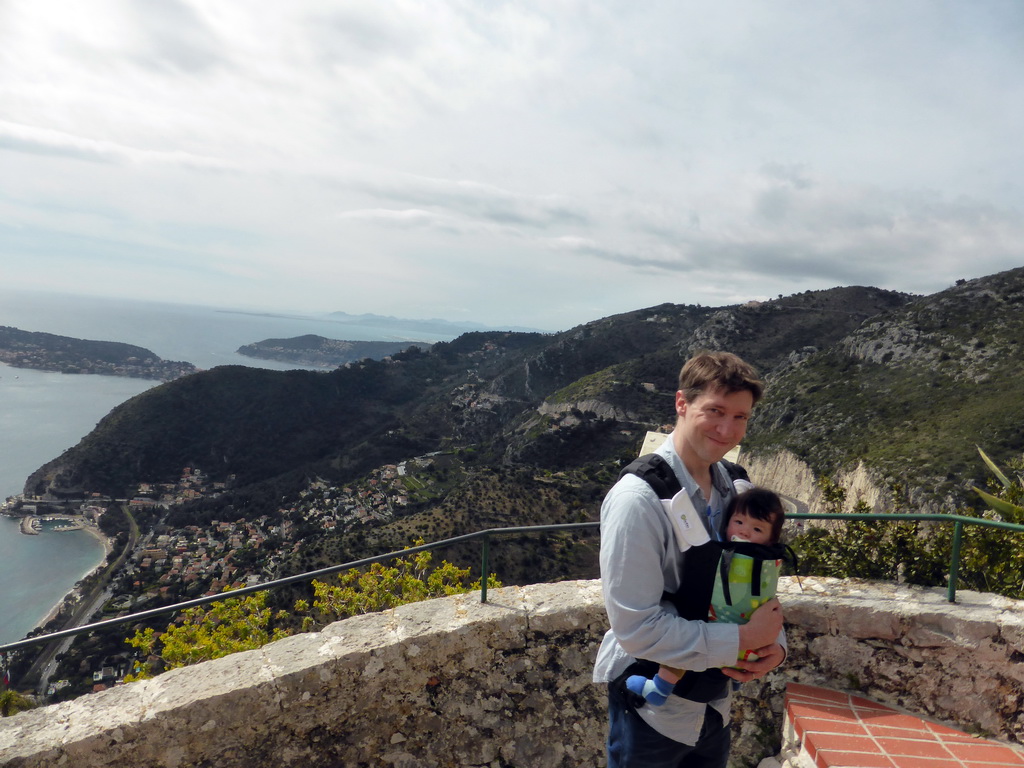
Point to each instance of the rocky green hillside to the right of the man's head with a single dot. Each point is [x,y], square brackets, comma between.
[911,393]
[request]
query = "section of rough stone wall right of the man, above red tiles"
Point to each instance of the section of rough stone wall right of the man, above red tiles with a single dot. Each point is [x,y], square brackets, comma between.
[909,648]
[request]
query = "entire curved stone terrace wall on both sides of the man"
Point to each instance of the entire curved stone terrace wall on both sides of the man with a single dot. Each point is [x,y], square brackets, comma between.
[458,684]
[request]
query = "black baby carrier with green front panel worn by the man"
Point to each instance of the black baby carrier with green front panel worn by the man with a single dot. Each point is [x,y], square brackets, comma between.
[721,581]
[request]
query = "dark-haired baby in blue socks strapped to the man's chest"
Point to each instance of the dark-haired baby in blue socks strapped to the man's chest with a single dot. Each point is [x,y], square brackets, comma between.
[756,517]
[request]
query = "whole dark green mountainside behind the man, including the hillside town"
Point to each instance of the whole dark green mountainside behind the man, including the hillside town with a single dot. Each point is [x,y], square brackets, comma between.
[296,471]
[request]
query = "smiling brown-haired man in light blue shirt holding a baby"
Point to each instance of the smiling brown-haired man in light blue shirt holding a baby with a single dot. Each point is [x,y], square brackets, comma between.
[642,563]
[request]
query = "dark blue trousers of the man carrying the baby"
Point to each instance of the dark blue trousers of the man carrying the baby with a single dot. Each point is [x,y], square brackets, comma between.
[633,744]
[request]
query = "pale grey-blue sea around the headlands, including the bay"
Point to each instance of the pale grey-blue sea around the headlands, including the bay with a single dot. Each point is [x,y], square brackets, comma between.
[44,414]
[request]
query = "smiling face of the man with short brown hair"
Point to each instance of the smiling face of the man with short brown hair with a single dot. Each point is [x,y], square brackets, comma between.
[712,425]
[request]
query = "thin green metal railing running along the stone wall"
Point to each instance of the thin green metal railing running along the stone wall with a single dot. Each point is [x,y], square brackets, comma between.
[485,537]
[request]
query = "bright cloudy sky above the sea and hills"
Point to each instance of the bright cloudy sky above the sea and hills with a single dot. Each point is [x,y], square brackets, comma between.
[532,164]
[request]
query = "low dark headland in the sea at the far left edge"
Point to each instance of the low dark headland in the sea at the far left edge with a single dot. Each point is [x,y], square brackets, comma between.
[65,355]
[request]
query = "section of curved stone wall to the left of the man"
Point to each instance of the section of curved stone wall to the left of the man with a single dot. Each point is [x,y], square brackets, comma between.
[443,682]
